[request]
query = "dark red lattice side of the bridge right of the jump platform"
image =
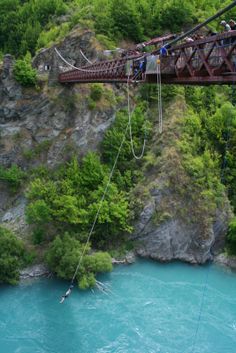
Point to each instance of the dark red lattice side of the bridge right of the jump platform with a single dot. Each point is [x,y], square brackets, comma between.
[211,56]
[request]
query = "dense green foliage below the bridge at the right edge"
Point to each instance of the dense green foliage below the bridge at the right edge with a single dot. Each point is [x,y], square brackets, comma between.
[213,131]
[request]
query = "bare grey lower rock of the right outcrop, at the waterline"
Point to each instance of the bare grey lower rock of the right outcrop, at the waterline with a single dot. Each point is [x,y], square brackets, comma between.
[175,239]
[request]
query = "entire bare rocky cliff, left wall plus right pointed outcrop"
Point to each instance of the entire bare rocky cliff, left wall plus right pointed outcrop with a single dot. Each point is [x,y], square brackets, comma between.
[44,125]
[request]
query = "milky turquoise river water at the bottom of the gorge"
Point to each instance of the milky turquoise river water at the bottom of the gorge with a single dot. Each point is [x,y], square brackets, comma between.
[152,308]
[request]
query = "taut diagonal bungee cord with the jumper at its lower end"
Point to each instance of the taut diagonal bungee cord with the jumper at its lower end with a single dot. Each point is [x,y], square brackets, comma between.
[96,216]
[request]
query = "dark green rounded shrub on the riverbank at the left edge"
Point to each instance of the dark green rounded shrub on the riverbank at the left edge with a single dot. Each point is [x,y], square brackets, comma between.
[12,256]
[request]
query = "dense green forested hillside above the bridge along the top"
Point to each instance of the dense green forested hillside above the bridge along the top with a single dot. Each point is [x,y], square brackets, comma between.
[26,25]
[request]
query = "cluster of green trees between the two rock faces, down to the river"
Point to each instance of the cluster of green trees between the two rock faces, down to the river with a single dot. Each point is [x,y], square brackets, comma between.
[63,203]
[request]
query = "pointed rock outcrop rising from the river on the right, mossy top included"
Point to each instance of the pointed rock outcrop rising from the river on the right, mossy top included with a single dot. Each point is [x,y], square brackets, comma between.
[175,222]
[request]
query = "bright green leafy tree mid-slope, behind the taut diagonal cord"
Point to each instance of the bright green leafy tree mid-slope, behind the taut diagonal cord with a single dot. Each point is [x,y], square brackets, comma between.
[71,199]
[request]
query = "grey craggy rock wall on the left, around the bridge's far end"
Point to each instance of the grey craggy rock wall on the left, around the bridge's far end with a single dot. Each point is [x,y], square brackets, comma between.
[44,125]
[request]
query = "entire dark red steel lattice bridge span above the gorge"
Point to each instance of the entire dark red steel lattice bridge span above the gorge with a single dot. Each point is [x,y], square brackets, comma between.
[211,60]
